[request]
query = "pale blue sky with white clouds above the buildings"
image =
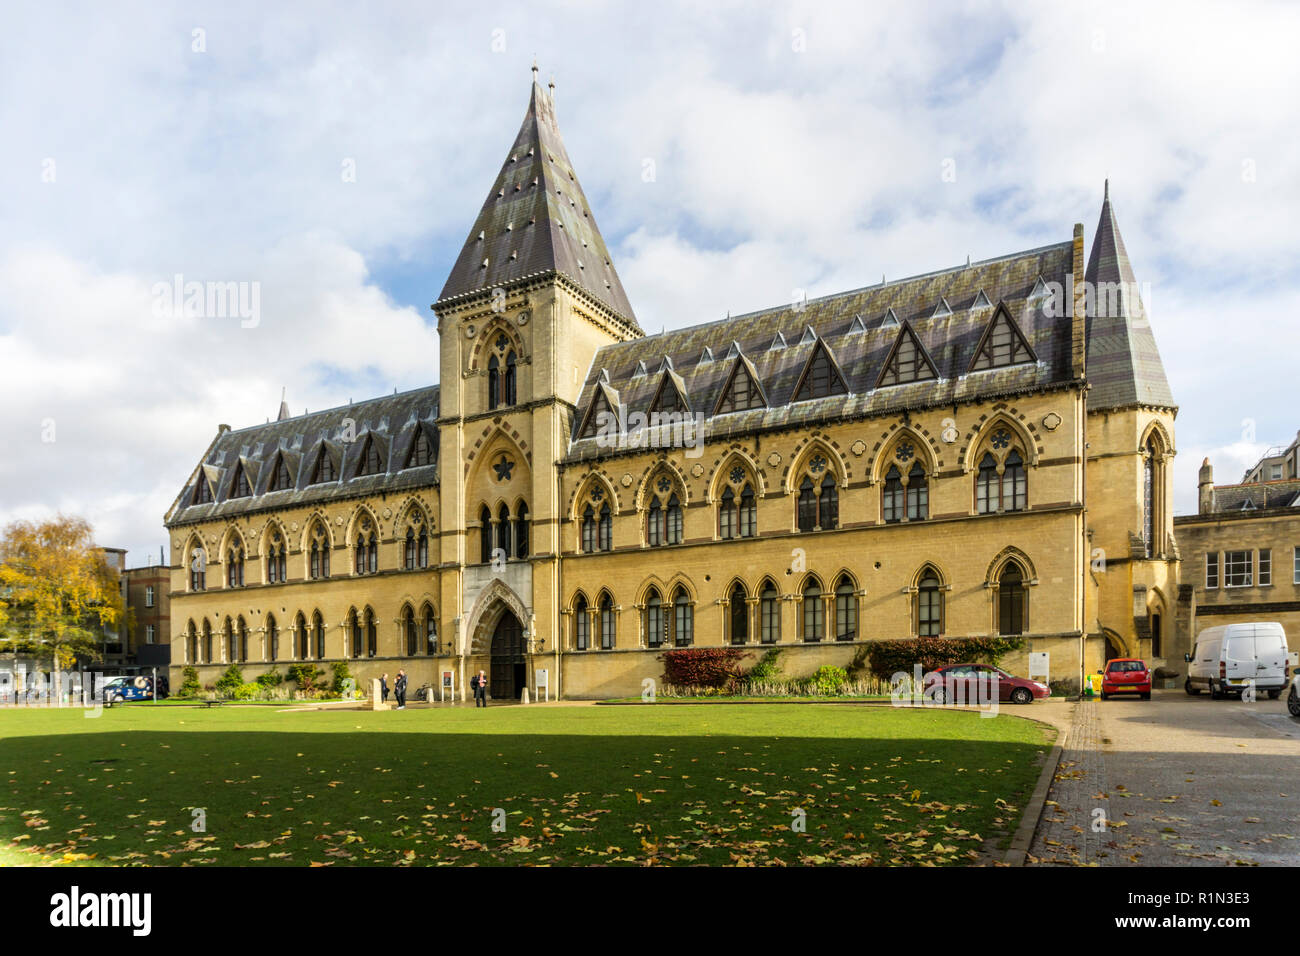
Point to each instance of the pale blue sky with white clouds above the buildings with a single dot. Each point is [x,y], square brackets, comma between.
[332,158]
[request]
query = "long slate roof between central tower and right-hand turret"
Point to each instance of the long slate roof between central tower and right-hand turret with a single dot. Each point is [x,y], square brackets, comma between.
[860,330]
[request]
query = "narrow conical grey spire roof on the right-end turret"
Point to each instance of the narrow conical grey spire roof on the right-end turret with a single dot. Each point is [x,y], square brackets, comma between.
[1124,362]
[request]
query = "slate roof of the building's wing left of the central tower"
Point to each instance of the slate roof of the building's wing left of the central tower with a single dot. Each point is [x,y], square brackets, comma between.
[392,422]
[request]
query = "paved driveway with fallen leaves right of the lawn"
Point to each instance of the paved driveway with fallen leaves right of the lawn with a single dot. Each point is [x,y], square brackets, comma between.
[1175,781]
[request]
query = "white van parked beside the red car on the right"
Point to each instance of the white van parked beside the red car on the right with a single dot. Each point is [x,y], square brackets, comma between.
[1229,659]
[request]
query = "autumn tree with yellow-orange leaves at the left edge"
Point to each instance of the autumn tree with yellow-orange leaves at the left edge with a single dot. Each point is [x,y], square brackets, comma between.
[57,592]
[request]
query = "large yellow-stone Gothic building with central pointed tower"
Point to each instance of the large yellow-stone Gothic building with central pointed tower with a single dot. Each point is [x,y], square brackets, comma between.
[977,451]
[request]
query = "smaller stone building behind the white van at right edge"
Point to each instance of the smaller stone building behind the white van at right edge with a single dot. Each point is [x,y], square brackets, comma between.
[1242,551]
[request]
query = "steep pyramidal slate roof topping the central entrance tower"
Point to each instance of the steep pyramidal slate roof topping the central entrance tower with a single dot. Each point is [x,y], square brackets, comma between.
[538,220]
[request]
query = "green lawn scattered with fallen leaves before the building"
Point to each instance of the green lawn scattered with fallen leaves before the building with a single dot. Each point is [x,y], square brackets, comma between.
[578,785]
